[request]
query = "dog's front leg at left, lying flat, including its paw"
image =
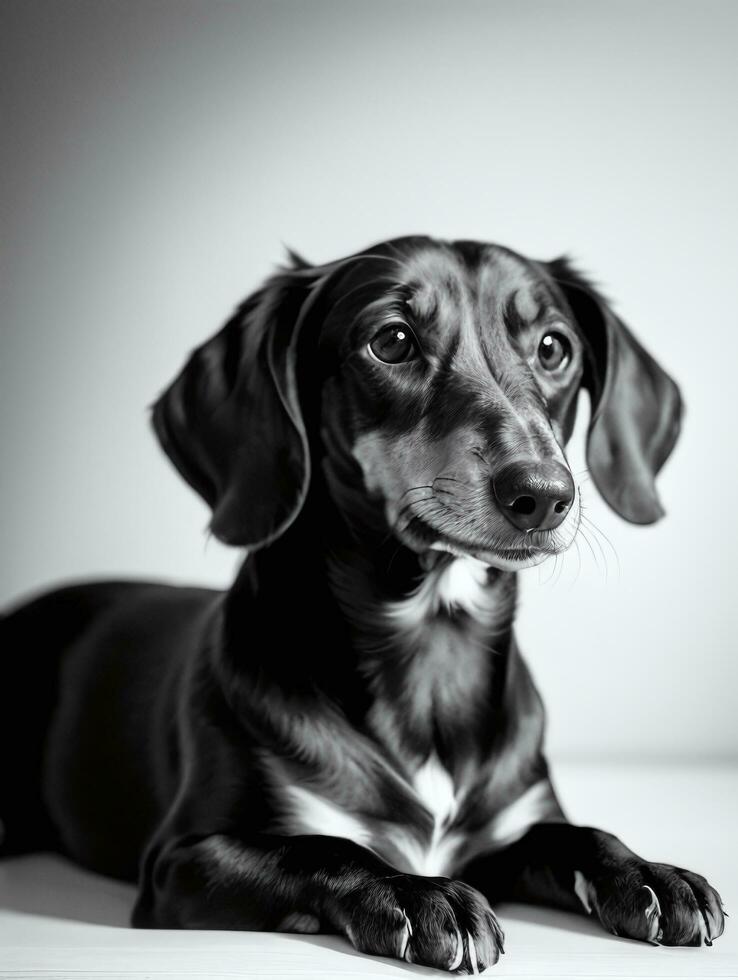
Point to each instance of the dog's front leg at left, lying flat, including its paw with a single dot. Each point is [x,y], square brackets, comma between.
[315,883]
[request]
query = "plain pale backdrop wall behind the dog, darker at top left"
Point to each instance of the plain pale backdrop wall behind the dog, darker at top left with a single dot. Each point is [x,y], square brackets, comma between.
[158,154]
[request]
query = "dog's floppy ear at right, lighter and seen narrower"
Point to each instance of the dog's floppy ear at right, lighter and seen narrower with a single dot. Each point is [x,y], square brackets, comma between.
[636,407]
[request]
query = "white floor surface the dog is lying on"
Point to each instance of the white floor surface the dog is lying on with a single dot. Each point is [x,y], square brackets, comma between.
[57,921]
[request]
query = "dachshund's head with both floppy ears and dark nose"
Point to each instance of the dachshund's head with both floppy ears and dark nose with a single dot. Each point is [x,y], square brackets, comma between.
[435,384]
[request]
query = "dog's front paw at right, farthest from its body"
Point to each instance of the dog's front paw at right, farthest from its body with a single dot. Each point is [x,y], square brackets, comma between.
[655,903]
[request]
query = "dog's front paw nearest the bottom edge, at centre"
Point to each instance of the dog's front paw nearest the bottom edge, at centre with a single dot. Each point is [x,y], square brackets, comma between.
[433,922]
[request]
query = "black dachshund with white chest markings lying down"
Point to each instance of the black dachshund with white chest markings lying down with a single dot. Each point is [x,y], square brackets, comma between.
[348,740]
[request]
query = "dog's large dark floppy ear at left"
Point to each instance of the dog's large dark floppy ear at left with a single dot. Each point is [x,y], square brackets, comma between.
[231,422]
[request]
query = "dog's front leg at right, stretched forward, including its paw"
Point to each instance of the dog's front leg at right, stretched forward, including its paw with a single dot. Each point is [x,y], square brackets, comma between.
[591,871]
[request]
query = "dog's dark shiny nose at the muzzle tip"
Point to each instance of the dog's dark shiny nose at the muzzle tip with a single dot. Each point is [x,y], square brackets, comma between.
[534,496]
